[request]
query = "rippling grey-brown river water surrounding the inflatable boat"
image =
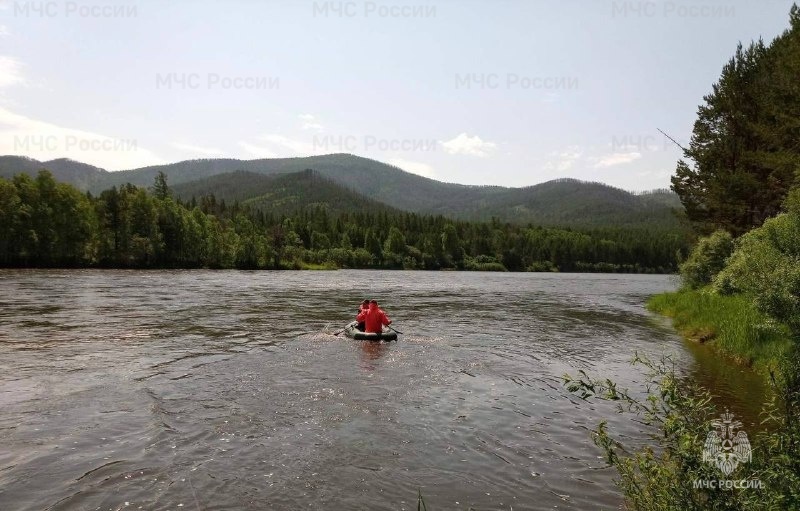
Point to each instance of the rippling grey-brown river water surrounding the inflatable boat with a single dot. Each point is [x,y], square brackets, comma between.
[202,390]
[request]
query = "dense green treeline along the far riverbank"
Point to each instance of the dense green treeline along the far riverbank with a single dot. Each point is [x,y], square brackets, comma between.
[48,224]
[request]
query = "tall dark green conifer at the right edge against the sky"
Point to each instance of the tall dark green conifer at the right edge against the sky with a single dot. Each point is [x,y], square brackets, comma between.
[744,145]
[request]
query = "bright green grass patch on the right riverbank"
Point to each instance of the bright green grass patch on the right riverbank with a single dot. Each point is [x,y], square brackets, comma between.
[731,324]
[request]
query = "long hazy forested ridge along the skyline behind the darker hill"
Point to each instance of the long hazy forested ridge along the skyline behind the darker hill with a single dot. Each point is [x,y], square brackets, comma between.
[561,202]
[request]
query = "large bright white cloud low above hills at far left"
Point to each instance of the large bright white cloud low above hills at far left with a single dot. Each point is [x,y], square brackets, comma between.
[41,140]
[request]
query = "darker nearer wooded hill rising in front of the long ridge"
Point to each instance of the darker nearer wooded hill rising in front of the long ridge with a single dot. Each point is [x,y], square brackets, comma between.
[280,194]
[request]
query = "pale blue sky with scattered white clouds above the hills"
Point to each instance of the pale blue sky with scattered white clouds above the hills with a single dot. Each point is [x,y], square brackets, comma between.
[494,92]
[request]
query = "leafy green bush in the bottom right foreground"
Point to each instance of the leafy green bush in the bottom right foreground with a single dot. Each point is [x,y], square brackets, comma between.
[678,414]
